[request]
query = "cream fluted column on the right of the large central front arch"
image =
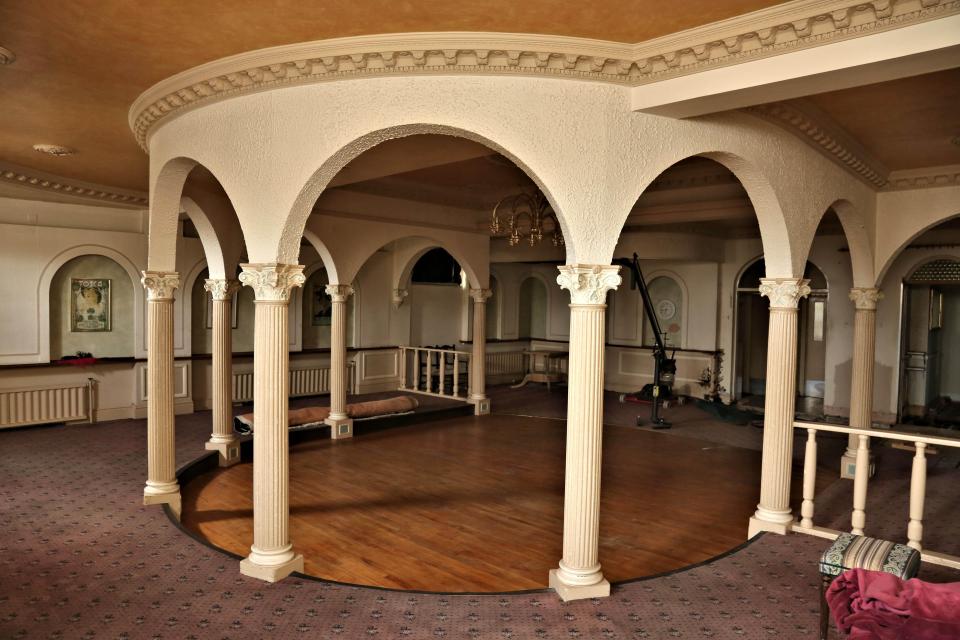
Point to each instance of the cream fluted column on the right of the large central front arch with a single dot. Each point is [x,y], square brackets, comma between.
[579,575]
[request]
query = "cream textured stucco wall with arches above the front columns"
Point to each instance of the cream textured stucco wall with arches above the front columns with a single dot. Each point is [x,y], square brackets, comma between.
[579,141]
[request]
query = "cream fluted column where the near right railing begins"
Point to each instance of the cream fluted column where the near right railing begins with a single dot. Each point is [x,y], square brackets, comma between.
[773,512]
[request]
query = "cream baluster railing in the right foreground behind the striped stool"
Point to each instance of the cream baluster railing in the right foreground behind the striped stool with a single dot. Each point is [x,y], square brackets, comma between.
[858,517]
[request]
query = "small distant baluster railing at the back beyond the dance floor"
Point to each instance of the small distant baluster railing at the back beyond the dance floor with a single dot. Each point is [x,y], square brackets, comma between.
[435,372]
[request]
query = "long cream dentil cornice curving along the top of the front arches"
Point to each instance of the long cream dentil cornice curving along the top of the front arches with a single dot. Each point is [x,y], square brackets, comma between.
[783,28]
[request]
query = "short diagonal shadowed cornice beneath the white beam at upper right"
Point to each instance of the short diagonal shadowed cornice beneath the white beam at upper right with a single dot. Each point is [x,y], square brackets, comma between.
[818,129]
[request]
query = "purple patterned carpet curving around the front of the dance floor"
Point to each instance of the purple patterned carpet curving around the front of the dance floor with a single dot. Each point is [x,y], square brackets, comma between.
[82,558]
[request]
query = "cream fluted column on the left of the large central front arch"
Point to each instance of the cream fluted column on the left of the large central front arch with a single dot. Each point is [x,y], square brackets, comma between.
[271,557]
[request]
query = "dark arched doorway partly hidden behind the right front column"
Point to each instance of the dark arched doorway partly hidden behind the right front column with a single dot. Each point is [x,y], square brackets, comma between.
[752,313]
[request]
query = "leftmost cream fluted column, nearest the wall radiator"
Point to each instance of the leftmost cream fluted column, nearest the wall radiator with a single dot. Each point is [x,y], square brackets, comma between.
[162,486]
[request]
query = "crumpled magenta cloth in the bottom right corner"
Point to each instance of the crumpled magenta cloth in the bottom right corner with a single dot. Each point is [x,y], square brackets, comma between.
[873,605]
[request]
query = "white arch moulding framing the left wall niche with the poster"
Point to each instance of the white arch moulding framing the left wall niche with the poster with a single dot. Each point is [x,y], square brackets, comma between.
[54,265]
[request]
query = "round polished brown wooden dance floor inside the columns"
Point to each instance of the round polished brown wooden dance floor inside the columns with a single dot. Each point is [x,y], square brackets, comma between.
[476,504]
